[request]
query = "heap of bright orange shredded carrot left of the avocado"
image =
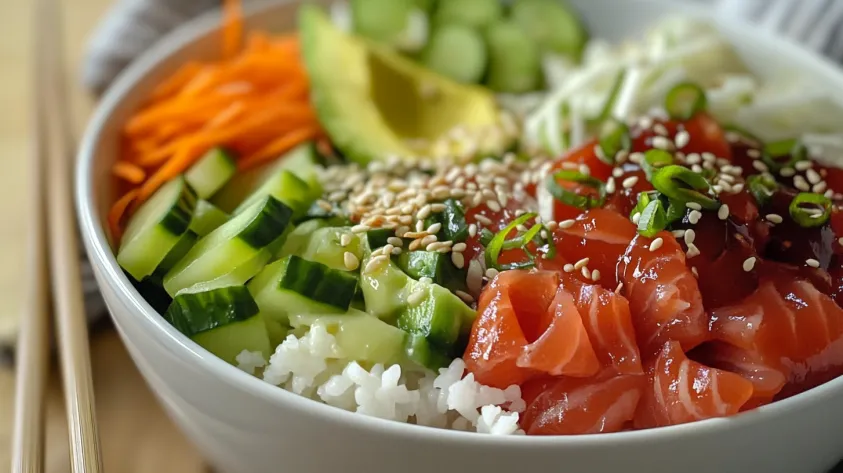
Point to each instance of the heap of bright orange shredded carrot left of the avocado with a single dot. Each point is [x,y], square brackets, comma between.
[254,101]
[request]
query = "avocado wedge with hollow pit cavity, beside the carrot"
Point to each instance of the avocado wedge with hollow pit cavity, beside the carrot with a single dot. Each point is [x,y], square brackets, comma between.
[375,103]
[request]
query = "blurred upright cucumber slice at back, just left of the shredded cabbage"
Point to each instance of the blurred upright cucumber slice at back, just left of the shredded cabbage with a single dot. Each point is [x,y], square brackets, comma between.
[514,60]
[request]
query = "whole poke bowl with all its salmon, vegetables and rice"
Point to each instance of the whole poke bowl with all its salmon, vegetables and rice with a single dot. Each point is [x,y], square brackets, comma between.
[473,242]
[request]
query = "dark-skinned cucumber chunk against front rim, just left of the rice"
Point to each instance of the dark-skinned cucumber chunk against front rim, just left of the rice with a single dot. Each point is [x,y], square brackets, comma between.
[224,321]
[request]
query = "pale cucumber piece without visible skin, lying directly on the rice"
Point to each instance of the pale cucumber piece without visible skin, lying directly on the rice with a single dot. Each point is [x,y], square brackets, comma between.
[360,336]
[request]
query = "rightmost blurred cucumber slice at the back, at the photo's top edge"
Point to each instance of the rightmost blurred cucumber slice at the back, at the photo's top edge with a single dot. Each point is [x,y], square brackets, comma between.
[552,25]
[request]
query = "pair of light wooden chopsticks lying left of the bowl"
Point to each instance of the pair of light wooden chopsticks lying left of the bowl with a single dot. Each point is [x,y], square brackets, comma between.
[53,260]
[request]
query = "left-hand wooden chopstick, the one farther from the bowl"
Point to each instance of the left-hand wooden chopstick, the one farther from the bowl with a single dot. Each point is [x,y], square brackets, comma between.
[32,354]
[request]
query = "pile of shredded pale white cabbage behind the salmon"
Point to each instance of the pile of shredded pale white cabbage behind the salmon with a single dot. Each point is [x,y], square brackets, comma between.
[632,78]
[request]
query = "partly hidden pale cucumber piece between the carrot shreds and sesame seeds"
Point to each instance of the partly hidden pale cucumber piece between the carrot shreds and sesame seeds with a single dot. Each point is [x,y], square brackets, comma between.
[301,161]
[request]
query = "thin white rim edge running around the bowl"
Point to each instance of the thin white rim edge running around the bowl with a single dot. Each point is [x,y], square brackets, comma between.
[101,255]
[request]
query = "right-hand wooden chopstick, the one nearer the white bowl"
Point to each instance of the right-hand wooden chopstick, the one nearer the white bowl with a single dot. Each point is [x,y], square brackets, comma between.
[69,307]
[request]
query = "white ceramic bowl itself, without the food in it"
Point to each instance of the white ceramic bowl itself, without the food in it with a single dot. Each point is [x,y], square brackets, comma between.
[244,425]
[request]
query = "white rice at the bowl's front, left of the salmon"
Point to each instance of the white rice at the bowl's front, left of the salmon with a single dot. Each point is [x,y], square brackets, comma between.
[314,366]
